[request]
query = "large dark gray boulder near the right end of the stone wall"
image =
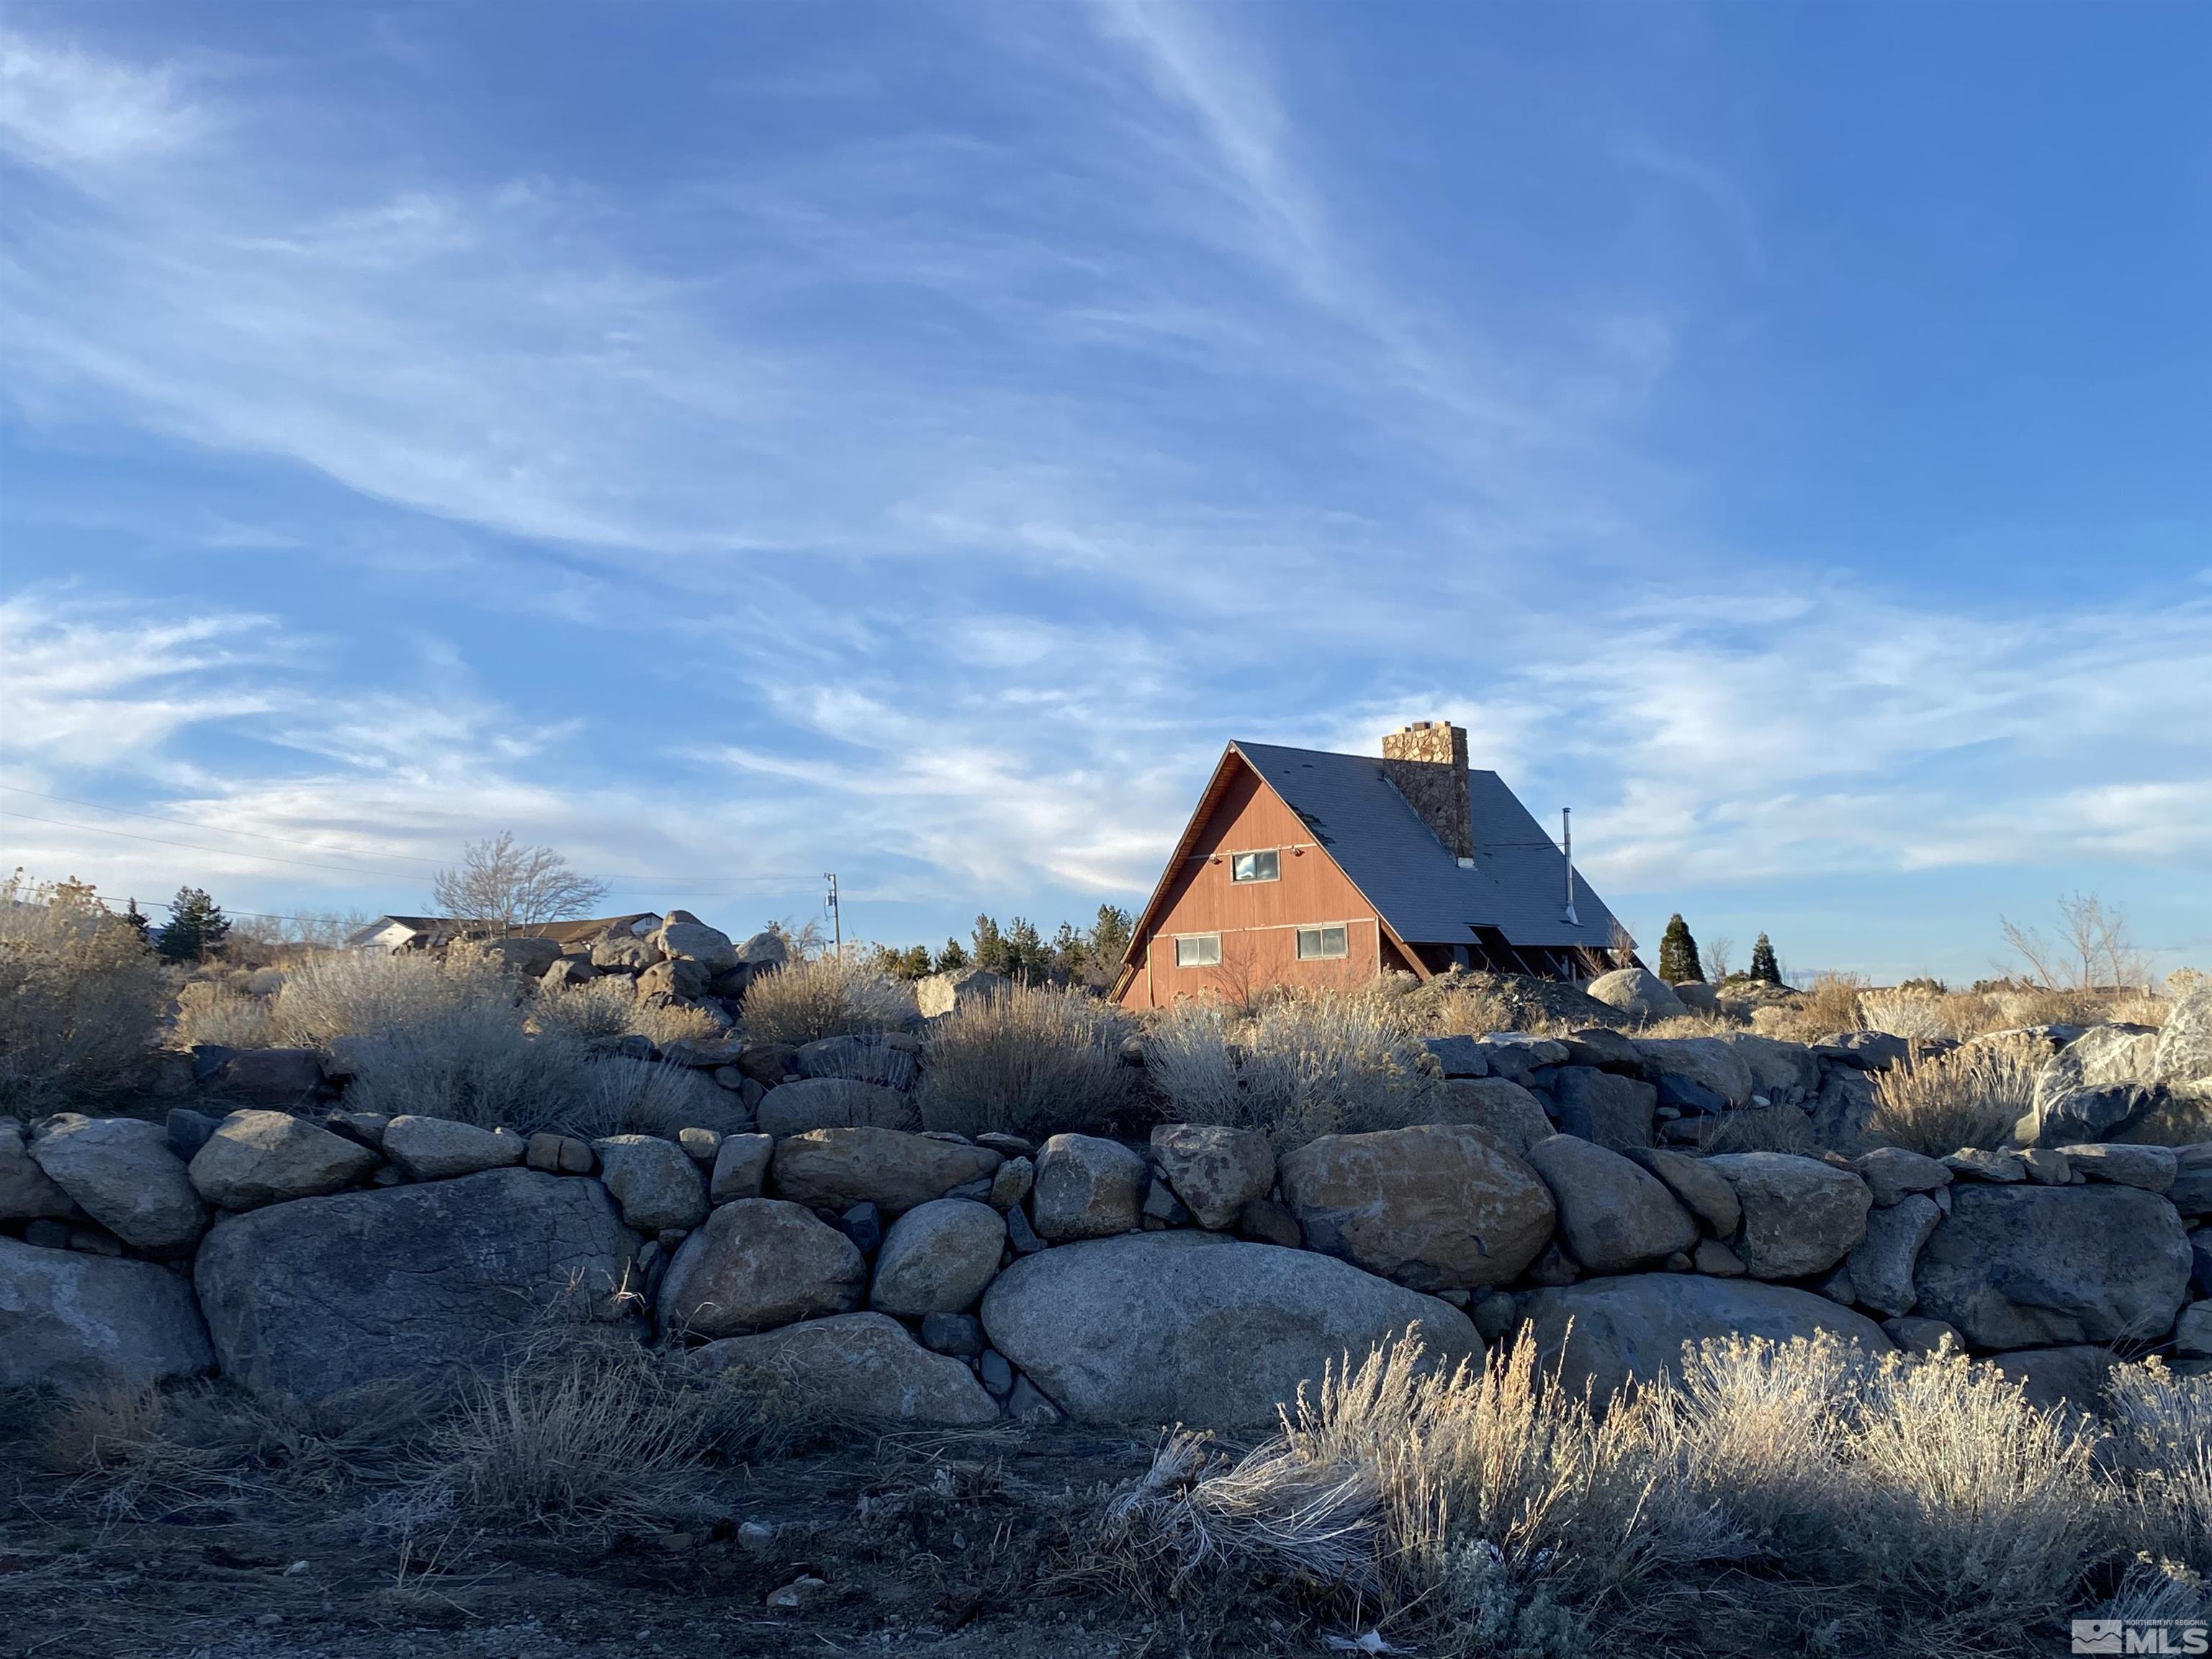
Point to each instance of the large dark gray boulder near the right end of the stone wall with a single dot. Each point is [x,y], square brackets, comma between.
[2036,1266]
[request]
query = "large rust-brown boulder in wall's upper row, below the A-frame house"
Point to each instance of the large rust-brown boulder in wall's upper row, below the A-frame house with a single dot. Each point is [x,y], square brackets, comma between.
[1434,1207]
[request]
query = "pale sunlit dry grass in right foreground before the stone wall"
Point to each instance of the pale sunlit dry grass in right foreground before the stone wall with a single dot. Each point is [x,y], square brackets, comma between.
[1892,1505]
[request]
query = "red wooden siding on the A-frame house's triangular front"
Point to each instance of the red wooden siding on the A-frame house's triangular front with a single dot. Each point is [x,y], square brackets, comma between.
[1258,921]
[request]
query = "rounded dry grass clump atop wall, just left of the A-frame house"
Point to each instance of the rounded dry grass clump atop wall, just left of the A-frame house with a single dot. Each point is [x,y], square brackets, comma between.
[1032,1061]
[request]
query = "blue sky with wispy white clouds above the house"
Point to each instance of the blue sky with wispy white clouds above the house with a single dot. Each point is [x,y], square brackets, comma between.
[740,444]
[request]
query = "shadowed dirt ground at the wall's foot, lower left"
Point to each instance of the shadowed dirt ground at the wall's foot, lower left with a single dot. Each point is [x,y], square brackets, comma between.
[952,1545]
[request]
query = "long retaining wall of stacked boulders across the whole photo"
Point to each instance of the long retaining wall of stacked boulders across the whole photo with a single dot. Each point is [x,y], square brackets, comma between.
[1196,1277]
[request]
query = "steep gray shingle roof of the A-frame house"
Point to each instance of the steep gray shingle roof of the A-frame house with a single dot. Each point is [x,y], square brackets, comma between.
[1419,888]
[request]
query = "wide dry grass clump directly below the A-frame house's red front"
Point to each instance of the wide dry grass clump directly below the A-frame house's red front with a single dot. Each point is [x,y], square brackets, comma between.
[1293,1070]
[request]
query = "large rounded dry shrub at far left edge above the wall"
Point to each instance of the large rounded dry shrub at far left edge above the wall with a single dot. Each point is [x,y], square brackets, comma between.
[81,999]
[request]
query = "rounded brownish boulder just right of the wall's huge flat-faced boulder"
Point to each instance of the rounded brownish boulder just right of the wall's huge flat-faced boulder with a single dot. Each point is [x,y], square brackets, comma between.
[760,1264]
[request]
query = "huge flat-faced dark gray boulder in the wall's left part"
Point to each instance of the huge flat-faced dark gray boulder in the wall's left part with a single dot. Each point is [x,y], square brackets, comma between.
[408,1282]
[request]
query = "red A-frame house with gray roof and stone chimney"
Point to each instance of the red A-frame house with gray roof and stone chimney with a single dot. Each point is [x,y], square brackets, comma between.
[1313,868]
